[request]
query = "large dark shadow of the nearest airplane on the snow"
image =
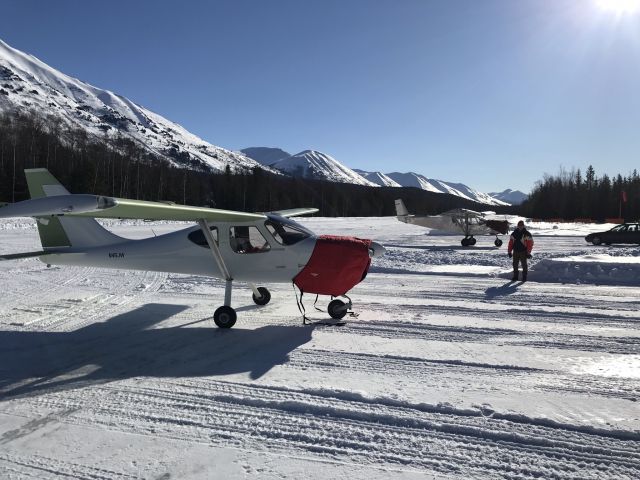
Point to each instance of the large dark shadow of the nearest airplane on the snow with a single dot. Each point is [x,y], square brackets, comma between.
[127,346]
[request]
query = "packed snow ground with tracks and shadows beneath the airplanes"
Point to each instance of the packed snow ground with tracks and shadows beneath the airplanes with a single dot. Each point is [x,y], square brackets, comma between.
[449,371]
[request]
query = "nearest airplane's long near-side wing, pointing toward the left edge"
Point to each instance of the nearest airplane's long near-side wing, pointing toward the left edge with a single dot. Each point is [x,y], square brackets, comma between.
[95,206]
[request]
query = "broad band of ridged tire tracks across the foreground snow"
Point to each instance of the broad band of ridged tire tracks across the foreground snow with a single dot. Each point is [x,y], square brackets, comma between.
[345,425]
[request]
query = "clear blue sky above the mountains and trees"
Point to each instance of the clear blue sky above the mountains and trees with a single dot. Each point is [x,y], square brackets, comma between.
[491,93]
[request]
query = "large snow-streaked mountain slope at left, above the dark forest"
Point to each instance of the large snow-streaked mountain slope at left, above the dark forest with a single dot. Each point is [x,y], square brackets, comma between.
[27,83]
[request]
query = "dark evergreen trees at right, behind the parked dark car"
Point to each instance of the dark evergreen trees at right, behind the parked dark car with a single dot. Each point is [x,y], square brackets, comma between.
[572,195]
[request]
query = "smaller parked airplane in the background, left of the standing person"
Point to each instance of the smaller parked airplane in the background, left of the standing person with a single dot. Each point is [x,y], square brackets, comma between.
[468,222]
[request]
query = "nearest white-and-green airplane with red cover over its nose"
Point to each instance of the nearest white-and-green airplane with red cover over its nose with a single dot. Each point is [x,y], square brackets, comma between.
[234,246]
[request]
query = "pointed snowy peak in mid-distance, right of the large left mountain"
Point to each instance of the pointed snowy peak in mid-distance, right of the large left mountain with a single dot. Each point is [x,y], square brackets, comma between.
[319,166]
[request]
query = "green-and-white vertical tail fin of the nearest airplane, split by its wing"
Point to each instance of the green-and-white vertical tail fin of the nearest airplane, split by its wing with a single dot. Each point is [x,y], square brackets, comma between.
[64,231]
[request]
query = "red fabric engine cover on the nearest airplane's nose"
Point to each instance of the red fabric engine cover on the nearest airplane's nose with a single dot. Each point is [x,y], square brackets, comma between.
[337,264]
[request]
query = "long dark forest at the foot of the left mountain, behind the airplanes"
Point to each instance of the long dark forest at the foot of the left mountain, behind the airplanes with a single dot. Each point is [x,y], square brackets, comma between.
[117,166]
